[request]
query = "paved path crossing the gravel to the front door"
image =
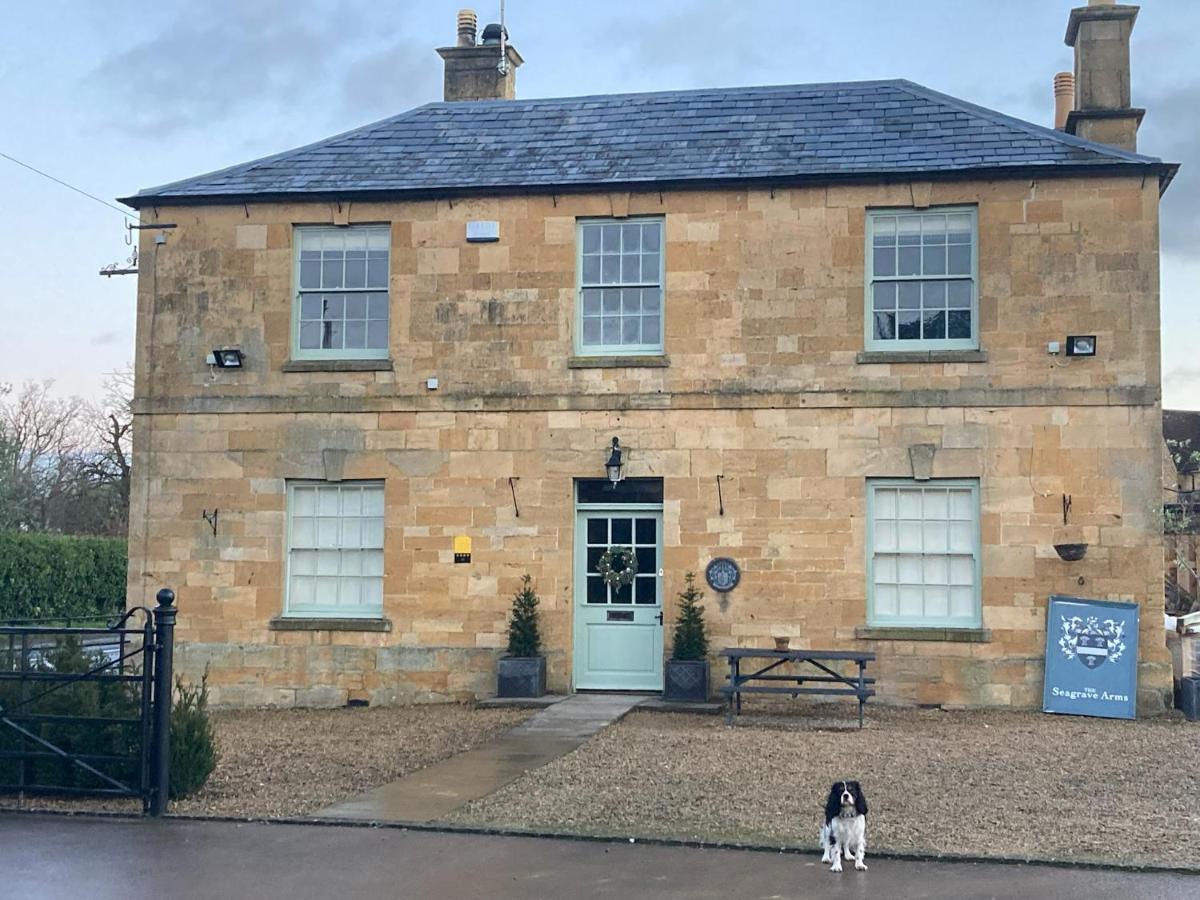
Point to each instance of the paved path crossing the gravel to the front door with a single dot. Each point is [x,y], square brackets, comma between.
[431,794]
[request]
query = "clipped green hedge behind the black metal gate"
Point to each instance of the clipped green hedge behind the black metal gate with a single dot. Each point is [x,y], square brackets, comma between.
[51,575]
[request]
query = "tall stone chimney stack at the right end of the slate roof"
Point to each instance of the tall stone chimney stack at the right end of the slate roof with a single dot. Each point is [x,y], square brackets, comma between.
[1100,34]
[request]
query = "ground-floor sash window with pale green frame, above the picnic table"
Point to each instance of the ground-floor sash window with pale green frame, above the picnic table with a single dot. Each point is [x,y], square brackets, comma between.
[931,571]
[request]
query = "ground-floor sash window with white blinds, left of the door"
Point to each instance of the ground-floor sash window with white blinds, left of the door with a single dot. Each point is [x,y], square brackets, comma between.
[335,549]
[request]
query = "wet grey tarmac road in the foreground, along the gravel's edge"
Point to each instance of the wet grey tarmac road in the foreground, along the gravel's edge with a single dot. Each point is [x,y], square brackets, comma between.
[56,857]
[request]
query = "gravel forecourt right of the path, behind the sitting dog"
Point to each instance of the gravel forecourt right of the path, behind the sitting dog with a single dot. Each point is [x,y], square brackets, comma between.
[976,783]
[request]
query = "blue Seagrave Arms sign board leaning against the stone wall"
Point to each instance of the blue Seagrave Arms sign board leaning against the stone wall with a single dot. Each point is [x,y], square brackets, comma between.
[1091,658]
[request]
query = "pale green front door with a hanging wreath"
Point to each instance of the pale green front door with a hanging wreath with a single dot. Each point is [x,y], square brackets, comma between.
[619,633]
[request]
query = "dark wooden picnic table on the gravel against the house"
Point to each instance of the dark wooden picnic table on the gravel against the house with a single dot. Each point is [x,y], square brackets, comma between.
[765,680]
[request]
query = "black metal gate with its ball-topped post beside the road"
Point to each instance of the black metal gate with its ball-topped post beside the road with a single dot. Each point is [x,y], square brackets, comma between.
[86,709]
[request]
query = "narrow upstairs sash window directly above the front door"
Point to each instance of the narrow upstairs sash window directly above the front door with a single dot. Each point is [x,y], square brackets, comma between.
[621,287]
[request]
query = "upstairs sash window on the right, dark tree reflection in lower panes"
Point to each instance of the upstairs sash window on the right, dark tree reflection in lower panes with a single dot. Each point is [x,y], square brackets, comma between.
[922,280]
